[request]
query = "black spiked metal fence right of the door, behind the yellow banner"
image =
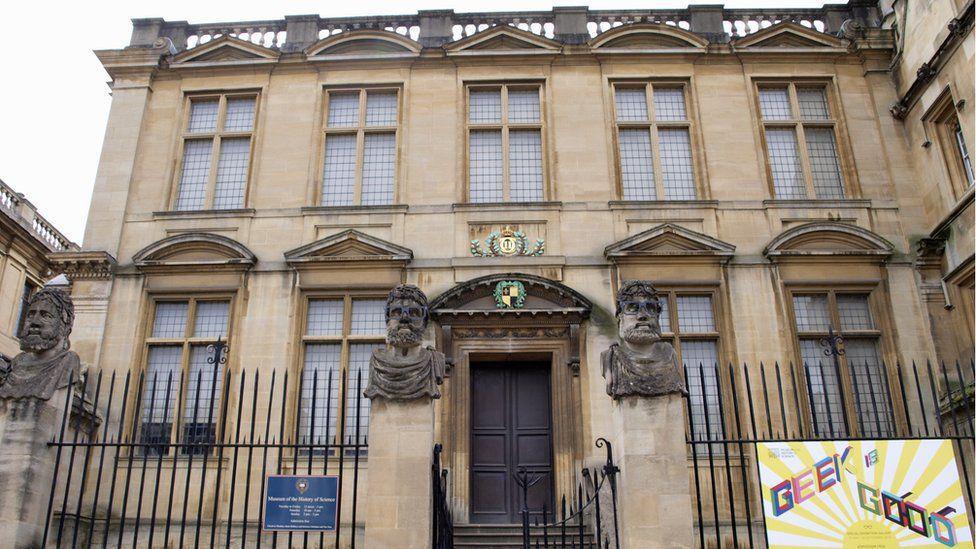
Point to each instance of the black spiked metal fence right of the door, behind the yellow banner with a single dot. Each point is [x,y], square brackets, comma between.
[784,404]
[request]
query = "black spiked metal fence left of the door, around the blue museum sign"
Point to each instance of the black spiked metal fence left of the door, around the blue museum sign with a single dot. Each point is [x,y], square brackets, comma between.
[181,460]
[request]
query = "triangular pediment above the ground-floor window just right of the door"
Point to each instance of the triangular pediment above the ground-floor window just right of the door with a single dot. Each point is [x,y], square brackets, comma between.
[668,239]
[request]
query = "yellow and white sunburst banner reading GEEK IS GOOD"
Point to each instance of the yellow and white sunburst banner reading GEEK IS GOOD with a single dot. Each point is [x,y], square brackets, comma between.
[862,494]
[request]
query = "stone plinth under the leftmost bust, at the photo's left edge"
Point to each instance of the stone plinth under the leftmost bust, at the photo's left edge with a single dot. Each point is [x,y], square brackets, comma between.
[27,466]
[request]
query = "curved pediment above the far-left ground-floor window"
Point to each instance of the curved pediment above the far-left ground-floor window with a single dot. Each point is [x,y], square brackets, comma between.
[194,250]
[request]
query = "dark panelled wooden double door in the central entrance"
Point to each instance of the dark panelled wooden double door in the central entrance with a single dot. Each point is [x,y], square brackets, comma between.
[511,428]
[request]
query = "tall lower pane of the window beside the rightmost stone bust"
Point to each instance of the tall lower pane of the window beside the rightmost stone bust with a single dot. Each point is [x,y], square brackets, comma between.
[700,361]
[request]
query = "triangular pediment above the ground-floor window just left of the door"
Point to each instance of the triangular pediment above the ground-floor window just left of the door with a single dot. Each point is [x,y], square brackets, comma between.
[346,246]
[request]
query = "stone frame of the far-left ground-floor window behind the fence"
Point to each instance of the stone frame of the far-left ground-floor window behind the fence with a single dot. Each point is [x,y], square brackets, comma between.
[185,342]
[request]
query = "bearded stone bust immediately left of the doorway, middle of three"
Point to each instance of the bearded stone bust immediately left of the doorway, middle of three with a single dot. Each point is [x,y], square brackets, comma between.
[405,369]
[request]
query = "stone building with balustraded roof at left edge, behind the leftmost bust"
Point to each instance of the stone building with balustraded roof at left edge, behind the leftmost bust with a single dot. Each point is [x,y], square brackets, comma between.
[26,240]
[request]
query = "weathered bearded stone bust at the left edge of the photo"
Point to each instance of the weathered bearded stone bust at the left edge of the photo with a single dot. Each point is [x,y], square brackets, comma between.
[45,364]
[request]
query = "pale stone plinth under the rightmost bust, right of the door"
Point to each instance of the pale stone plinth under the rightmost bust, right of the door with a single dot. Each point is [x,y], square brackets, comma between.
[653,489]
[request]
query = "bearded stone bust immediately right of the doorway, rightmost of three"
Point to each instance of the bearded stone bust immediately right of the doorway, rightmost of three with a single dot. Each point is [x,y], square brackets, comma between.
[641,364]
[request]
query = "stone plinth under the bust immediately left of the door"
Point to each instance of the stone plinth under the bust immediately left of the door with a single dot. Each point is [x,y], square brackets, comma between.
[398,490]
